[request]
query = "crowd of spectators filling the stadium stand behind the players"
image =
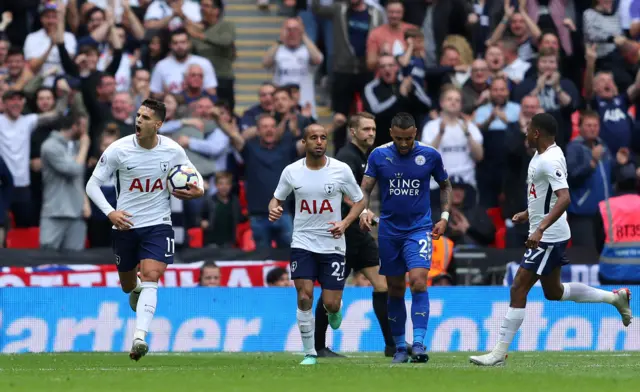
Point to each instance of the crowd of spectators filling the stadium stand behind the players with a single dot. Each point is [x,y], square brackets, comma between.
[472,73]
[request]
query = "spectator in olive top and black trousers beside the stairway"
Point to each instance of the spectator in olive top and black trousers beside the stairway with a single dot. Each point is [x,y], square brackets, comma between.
[216,42]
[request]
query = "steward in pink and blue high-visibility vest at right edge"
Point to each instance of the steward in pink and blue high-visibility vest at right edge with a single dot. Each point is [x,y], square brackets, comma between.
[620,255]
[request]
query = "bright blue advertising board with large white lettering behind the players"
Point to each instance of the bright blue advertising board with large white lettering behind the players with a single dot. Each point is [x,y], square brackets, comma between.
[263,319]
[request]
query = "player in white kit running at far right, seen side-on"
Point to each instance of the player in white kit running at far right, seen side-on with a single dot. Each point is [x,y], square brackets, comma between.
[548,199]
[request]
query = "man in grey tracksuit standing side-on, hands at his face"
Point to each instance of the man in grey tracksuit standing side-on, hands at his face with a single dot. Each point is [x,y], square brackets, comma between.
[63,154]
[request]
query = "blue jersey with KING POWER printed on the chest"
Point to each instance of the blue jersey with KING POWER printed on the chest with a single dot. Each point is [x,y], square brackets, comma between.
[404,187]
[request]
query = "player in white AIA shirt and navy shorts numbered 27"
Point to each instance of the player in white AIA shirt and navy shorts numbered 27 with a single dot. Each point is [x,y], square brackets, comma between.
[318,247]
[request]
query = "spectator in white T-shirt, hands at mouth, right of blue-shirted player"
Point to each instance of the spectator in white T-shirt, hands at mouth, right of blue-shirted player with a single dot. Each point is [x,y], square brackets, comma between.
[458,141]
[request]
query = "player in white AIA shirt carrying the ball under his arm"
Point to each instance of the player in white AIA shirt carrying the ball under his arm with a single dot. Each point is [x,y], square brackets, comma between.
[142,219]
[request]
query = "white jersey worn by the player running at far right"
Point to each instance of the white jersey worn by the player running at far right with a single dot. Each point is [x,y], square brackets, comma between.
[547,173]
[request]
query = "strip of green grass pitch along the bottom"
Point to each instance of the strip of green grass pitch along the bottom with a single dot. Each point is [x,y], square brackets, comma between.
[548,372]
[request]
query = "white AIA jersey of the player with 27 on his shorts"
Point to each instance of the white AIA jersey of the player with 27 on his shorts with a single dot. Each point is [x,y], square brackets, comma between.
[319,195]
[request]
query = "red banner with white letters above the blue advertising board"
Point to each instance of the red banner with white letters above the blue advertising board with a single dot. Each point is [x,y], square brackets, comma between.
[233,274]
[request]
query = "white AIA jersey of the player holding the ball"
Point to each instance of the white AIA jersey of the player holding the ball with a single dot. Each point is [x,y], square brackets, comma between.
[141,177]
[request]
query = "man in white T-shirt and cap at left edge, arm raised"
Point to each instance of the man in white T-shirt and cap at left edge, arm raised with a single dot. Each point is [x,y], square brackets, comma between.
[15,148]
